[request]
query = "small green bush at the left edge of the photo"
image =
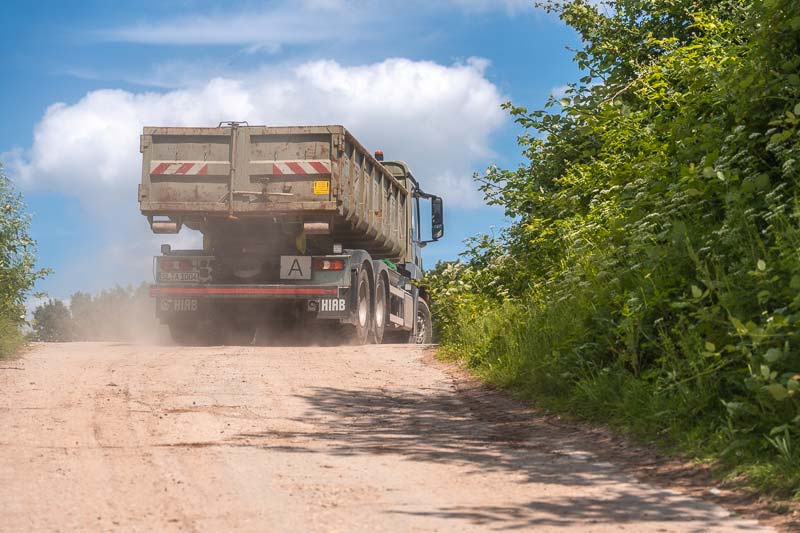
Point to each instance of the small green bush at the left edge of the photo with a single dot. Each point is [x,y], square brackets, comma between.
[18,271]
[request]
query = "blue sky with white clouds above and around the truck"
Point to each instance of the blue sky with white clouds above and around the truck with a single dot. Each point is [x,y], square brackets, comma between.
[423,81]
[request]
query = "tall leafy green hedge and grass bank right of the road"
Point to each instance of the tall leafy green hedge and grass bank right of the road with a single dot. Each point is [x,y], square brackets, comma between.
[651,276]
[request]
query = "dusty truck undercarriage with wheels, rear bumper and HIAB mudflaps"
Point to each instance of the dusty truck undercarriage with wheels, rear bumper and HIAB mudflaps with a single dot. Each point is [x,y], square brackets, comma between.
[369,302]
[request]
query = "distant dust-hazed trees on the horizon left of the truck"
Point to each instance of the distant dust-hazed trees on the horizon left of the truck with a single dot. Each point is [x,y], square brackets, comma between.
[118,314]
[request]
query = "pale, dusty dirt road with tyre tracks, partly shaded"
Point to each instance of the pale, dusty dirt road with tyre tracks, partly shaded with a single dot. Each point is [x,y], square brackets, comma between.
[125,437]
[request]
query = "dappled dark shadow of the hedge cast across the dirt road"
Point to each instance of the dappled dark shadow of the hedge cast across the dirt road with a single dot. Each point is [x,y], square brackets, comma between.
[484,432]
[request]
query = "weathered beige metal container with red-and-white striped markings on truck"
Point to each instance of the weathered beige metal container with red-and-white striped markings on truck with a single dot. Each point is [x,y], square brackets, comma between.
[318,176]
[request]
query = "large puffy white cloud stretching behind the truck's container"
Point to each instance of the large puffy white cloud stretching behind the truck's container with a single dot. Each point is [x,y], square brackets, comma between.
[439,118]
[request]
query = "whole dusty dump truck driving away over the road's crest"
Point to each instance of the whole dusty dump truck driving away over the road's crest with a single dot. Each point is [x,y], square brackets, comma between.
[301,226]
